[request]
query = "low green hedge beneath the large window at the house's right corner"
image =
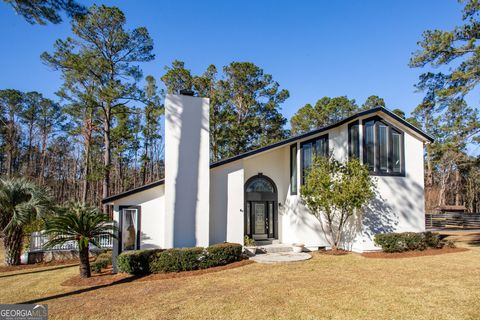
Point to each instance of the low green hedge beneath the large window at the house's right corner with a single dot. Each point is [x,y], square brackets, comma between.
[408,241]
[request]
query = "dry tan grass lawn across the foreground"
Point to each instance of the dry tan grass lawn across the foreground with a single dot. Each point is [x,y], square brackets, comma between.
[325,287]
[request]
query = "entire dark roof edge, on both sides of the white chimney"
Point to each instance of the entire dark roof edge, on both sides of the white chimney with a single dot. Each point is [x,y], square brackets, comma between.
[281,143]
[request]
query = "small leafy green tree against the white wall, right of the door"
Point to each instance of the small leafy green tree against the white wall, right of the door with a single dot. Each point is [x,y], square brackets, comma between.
[335,191]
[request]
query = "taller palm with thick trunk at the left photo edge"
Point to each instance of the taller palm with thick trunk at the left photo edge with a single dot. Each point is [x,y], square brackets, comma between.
[21,202]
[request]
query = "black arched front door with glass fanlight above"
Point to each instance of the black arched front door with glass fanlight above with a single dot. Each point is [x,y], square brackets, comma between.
[261,216]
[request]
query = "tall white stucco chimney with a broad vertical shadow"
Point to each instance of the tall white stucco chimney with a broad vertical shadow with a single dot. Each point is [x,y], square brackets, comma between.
[187,174]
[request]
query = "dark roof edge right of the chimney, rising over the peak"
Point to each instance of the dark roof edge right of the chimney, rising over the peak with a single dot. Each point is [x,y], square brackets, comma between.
[320,130]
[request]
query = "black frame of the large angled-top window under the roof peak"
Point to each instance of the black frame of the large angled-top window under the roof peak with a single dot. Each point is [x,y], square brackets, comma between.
[376,171]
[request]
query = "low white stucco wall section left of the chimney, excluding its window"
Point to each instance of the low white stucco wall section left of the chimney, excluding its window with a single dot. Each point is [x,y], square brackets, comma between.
[152,215]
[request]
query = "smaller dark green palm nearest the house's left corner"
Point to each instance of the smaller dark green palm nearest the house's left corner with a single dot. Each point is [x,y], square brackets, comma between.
[81,224]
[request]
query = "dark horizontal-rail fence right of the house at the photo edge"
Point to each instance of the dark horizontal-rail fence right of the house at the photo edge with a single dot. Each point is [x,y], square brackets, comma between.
[452,221]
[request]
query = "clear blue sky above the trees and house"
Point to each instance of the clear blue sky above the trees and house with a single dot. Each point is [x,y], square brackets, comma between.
[312,48]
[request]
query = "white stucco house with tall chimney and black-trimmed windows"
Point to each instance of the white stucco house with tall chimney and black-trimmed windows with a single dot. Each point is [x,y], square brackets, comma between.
[258,193]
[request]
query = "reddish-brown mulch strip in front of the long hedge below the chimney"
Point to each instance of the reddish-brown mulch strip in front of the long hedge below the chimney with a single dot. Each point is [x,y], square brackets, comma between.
[106,277]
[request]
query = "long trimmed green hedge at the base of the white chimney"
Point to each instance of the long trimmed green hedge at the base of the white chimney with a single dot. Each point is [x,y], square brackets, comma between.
[177,260]
